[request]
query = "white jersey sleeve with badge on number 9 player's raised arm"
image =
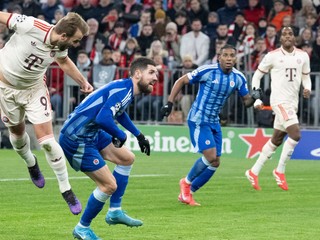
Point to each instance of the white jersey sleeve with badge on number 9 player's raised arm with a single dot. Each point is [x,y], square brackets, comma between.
[20,23]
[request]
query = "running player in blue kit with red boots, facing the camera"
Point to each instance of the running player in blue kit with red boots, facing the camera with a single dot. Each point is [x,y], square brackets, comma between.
[216,83]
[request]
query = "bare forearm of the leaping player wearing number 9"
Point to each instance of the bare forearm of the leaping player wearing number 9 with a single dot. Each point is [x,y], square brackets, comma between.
[71,70]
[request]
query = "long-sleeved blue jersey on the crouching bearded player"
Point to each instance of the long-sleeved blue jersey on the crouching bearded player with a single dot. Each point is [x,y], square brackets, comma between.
[98,111]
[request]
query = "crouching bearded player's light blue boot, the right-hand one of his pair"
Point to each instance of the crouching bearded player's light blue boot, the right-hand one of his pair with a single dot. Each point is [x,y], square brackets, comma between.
[120,217]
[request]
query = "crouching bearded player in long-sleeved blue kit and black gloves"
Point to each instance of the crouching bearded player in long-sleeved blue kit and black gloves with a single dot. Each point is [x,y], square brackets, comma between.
[87,137]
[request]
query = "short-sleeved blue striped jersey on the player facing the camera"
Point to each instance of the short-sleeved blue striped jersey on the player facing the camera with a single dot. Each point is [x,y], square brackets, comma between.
[215,88]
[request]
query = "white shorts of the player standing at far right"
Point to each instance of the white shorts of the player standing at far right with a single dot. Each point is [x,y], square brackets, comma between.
[285,116]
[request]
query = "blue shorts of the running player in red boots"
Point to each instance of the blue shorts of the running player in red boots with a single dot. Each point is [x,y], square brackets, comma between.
[205,136]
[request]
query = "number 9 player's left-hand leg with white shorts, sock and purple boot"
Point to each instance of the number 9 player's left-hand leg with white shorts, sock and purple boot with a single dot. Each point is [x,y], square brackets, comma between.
[13,115]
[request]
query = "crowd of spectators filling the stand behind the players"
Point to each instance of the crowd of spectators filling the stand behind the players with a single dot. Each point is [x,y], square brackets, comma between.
[177,34]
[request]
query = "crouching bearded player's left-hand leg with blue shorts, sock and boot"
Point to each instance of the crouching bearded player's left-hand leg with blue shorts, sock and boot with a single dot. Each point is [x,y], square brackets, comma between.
[87,158]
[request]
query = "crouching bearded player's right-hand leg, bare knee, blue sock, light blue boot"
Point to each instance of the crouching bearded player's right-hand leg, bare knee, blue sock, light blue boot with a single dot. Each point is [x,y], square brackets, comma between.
[123,158]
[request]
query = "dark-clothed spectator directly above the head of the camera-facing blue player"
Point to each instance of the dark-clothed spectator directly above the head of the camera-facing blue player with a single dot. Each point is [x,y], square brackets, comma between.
[222,35]
